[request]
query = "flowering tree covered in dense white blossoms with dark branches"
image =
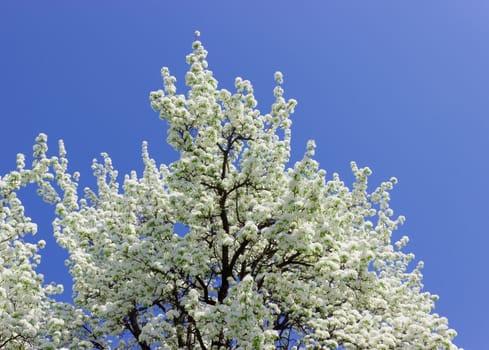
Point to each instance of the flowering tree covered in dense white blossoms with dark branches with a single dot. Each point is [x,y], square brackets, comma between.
[270,257]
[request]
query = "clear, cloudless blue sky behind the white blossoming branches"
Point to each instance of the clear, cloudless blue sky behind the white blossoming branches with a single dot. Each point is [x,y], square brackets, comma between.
[399,86]
